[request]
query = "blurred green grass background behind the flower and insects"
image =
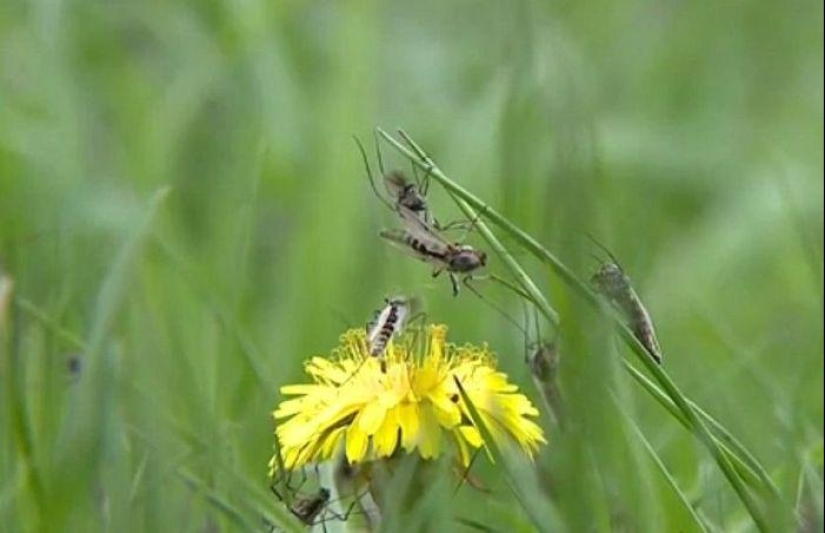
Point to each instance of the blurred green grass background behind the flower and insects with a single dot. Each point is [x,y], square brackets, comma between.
[186,218]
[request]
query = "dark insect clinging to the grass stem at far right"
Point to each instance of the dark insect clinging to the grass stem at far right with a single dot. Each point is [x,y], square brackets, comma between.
[612,282]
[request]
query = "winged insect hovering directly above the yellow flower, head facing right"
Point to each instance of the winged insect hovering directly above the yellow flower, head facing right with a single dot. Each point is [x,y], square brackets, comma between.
[429,246]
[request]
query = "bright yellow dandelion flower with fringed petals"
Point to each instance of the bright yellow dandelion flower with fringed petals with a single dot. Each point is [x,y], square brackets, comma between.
[373,408]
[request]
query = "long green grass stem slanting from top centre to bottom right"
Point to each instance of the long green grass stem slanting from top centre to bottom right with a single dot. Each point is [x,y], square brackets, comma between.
[691,415]
